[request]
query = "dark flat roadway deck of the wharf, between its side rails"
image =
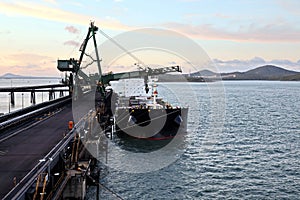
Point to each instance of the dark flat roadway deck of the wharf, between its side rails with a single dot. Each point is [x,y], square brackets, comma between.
[19,154]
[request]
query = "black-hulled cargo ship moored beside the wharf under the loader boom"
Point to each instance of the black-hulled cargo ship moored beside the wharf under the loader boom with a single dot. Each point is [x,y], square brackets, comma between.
[145,116]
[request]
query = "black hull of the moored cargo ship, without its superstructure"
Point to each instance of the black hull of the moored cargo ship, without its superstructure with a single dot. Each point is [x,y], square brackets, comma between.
[153,124]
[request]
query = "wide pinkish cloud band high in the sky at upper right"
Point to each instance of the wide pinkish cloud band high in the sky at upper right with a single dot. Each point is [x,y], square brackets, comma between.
[272,32]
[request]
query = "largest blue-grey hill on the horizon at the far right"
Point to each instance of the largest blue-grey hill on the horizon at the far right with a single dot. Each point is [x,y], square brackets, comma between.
[267,72]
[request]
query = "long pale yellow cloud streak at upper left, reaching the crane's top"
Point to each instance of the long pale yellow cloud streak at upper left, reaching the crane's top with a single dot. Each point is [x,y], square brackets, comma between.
[55,14]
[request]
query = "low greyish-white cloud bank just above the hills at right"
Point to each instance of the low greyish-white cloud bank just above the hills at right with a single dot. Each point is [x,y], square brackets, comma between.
[244,65]
